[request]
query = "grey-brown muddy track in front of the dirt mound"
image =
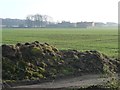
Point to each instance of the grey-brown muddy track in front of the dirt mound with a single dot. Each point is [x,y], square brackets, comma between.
[73,82]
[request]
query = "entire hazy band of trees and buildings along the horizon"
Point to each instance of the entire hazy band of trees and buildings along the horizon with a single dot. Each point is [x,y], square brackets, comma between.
[39,21]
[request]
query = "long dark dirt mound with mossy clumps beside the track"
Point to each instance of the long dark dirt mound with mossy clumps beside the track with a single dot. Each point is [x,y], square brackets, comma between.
[37,61]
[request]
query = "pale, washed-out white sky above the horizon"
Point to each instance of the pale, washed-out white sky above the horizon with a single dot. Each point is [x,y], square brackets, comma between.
[69,10]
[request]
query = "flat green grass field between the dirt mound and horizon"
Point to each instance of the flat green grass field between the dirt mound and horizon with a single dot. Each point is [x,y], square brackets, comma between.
[104,40]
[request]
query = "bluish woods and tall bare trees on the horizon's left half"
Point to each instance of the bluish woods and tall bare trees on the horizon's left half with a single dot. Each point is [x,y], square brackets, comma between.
[36,20]
